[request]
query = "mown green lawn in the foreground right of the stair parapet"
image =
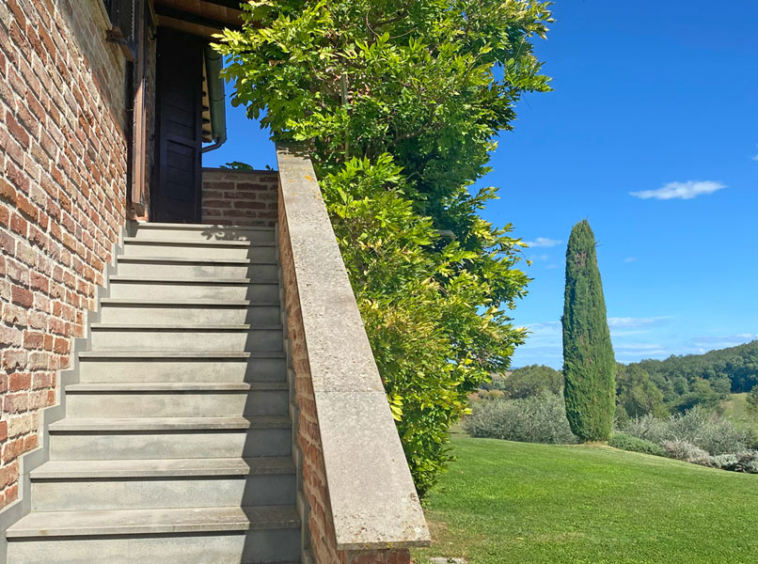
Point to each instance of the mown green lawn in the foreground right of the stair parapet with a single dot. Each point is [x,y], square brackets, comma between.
[517,503]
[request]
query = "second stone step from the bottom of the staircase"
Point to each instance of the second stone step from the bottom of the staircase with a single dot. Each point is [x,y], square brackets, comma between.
[185,483]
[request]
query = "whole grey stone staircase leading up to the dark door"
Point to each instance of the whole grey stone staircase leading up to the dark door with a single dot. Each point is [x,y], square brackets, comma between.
[176,444]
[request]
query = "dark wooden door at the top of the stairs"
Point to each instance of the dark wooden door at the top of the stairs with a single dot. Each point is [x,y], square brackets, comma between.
[177,197]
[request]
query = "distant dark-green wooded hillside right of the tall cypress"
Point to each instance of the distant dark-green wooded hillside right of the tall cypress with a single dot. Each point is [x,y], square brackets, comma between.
[703,378]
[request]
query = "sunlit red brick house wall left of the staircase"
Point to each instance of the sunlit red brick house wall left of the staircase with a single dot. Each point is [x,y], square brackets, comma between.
[62,199]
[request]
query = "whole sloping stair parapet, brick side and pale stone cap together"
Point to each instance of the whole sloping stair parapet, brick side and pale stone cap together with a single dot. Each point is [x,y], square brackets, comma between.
[362,505]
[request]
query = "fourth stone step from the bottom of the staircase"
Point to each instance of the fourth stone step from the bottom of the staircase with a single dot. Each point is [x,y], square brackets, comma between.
[176,399]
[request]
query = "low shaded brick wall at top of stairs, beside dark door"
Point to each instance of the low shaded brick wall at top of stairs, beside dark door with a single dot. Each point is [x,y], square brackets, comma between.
[240,197]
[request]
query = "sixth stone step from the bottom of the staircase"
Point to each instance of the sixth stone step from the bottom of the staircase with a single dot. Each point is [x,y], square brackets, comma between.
[196,338]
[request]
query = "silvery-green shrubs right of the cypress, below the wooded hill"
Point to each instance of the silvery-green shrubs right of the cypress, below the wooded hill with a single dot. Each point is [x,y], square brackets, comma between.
[707,431]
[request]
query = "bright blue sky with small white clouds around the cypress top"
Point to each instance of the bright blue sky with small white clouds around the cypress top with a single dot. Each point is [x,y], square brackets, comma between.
[651,134]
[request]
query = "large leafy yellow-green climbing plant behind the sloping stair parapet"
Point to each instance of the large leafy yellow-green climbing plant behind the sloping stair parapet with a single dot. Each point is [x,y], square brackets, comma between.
[400,103]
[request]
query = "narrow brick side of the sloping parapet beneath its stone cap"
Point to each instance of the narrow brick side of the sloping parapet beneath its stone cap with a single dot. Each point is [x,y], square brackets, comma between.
[323,544]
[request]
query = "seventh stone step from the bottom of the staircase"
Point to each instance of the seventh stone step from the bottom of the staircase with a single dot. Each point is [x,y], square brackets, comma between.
[189,312]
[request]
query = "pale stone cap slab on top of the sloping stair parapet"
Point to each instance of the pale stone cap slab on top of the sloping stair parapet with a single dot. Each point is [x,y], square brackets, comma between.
[371,492]
